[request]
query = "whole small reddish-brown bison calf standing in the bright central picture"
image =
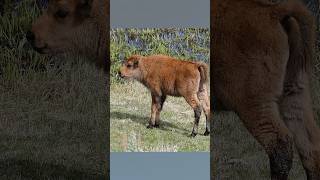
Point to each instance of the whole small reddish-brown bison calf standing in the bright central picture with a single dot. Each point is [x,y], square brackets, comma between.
[164,75]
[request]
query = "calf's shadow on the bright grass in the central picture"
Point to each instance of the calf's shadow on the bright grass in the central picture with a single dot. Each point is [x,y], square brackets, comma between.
[165,126]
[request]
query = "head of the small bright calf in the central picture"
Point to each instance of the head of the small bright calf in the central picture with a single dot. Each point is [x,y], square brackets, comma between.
[131,68]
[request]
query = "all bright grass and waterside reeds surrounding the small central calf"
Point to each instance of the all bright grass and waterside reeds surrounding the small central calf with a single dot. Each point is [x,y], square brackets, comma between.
[130,106]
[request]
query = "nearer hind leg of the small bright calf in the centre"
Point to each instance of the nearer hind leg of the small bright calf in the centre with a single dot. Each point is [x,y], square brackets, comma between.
[194,102]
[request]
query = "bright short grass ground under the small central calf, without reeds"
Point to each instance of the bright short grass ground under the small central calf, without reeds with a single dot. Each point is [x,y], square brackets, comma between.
[130,112]
